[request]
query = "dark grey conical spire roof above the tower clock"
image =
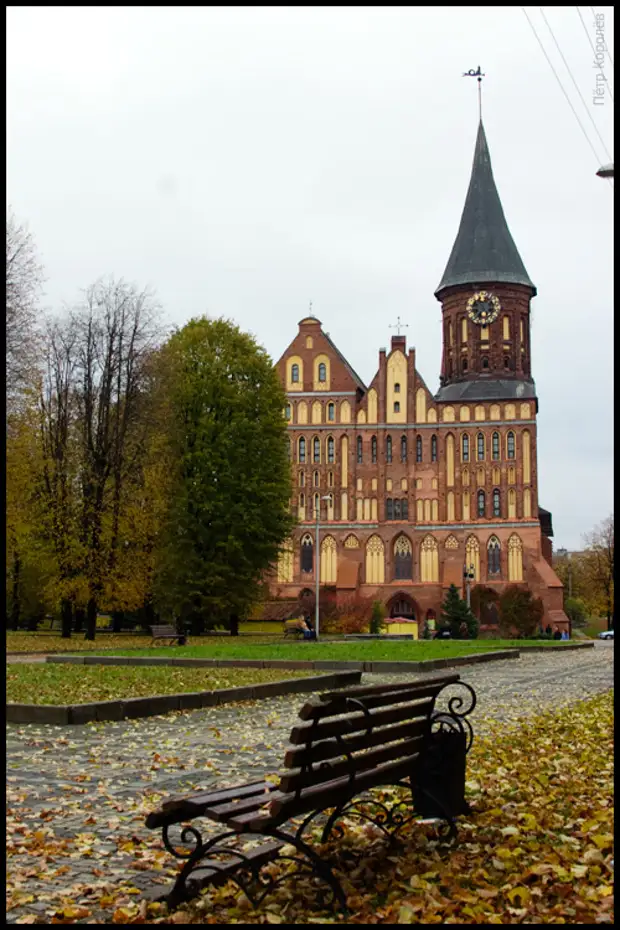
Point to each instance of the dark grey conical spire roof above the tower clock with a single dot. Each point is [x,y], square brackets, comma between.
[484,251]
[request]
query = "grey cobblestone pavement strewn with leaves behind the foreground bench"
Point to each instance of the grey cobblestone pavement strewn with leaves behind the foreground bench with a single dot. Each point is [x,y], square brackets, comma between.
[86,789]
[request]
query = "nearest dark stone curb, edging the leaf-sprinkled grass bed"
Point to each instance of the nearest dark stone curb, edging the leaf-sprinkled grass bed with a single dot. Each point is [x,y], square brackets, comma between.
[131,708]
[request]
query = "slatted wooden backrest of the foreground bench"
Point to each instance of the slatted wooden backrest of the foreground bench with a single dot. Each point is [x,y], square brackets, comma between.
[363,736]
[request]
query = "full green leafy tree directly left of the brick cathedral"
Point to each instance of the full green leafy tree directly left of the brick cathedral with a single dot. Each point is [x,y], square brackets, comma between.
[229,505]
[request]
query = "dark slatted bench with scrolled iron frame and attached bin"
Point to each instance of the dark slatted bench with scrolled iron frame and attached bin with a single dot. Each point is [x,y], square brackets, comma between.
[348,742]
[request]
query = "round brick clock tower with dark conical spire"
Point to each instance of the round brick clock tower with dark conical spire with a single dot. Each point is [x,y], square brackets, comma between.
[485,295]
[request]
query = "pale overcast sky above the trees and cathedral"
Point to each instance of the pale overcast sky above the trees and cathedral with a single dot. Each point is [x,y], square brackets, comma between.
[244,161]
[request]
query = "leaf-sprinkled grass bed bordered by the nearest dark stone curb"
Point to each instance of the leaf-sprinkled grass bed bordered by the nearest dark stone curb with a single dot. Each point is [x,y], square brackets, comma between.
[75,684]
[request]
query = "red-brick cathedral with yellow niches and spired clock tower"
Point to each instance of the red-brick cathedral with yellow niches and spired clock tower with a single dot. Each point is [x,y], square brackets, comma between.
[413,485]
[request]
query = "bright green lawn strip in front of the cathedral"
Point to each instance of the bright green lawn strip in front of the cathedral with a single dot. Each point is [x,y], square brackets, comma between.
[401,650]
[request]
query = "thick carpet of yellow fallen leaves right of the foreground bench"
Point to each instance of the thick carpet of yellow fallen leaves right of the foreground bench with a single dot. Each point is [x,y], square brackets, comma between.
[538,848]
